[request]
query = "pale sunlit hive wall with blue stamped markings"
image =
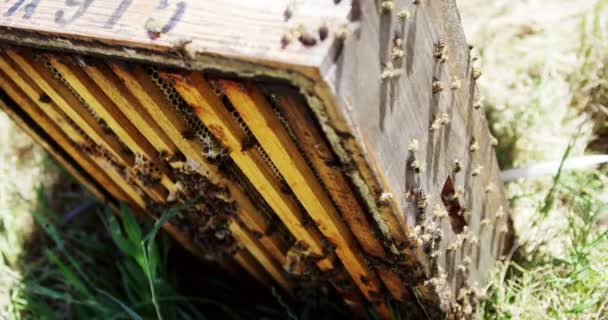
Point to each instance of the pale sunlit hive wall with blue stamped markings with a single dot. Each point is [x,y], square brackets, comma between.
[188,27]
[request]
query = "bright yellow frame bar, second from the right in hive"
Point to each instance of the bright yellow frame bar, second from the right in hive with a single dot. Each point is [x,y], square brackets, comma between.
[257,114]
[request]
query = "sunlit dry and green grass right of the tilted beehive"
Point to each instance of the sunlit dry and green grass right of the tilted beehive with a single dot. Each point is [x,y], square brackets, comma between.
[545,87]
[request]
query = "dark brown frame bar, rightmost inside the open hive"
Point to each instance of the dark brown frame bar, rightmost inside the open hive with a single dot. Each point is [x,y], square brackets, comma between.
[319,154]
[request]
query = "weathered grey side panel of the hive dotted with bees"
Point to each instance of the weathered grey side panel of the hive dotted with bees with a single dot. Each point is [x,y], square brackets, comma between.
[386,101]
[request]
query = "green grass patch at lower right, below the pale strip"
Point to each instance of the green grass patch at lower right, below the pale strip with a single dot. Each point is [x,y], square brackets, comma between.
[570,285]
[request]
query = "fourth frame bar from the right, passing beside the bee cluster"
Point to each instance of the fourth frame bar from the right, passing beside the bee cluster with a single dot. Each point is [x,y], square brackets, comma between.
[152,100]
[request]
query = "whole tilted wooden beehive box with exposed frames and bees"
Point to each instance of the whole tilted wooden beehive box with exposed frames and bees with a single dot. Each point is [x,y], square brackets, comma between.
[315,143]
